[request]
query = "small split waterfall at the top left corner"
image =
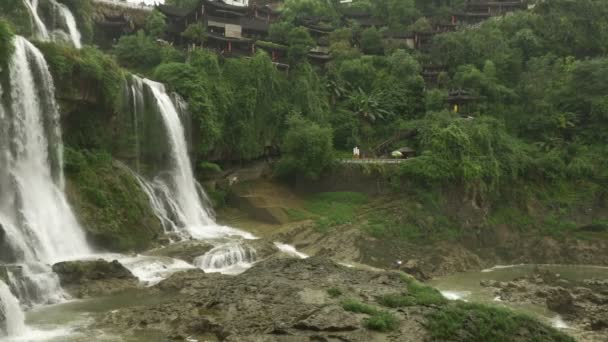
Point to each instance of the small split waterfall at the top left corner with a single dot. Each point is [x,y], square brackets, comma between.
[68,28]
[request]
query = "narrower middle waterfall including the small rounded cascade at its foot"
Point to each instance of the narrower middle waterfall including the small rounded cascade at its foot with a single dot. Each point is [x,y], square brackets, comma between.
[178,200]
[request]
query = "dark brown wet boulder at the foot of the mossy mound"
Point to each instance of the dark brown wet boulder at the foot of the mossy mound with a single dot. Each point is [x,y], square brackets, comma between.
[94,278]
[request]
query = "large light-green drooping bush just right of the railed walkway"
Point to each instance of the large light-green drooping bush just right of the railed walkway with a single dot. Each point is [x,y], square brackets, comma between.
[477,153]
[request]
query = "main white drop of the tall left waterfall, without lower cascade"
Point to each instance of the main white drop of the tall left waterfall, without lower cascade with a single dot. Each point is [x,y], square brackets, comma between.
[40,221]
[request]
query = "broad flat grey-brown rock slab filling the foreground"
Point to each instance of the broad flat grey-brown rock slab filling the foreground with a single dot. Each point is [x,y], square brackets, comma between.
[275,300]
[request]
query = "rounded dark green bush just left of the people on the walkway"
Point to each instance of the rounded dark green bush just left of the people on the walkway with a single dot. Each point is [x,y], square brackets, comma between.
[307,149]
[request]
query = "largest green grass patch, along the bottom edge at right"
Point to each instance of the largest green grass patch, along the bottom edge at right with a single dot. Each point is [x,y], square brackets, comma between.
[460,321]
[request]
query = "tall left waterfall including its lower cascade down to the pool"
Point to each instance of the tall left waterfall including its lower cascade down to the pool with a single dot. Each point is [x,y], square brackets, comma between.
[37,225]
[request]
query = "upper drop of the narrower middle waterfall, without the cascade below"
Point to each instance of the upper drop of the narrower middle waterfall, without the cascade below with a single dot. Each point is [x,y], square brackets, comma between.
[175,195]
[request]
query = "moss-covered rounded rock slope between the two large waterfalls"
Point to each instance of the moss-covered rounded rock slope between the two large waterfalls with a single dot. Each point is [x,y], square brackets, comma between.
[110,204]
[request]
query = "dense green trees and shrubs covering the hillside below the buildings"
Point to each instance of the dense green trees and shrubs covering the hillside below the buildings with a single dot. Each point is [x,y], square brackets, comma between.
[524,130]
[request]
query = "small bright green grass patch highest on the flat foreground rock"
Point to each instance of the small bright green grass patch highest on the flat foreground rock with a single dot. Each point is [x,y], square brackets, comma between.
[418,294]
